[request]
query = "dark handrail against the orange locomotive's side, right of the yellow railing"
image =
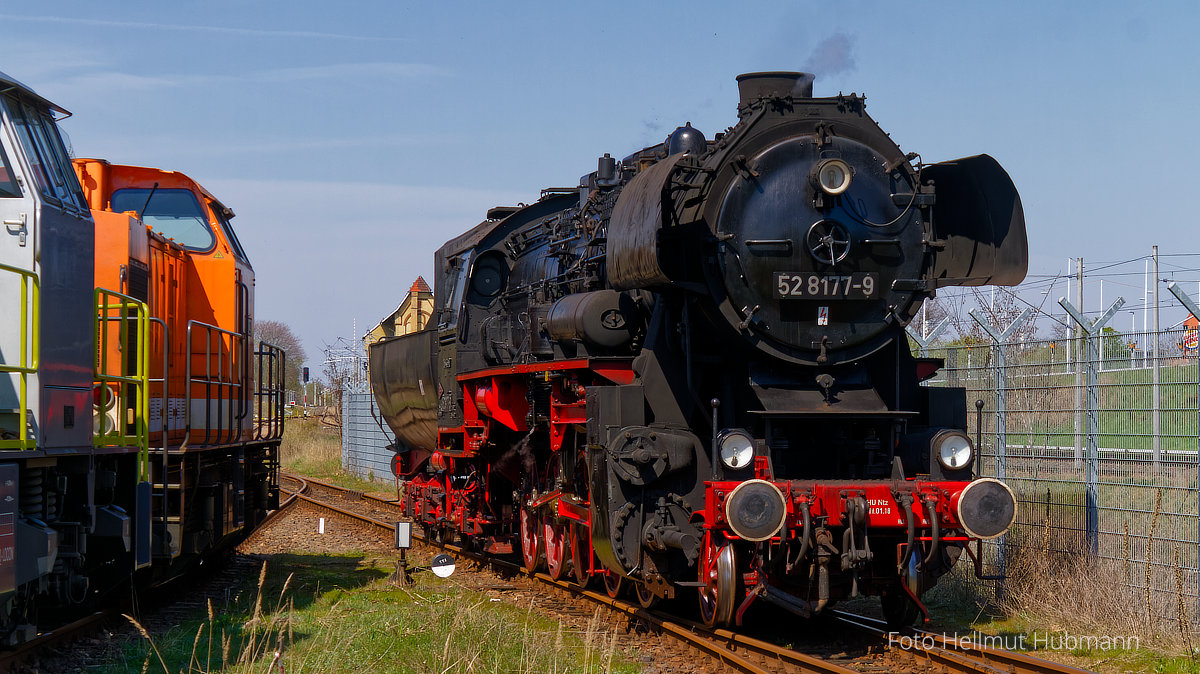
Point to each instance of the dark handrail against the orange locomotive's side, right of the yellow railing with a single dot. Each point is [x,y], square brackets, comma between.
[217,384]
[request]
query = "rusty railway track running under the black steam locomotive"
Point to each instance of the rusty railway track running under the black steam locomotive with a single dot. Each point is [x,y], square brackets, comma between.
[734,651]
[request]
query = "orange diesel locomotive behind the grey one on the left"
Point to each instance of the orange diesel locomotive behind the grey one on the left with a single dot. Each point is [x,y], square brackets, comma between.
[163,239]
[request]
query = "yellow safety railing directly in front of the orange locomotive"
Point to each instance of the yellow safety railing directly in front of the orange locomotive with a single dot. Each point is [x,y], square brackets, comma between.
[122,330]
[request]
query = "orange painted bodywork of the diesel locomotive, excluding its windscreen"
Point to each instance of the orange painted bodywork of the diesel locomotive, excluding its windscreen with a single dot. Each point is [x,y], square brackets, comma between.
[184,288]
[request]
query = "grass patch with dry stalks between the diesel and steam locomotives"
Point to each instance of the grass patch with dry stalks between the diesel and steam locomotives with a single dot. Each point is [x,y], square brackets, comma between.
[323,613]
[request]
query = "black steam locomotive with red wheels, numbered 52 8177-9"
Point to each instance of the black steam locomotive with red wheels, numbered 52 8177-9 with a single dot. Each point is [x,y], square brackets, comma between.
[691,372]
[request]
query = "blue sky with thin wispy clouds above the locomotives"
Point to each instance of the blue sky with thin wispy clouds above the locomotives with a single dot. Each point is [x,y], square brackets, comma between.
[355,139]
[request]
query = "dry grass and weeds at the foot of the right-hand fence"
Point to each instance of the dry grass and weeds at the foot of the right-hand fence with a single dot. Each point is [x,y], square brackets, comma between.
[1060,605]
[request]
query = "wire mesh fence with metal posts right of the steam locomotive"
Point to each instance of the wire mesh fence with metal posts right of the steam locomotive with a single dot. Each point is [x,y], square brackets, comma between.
[1099,440]
